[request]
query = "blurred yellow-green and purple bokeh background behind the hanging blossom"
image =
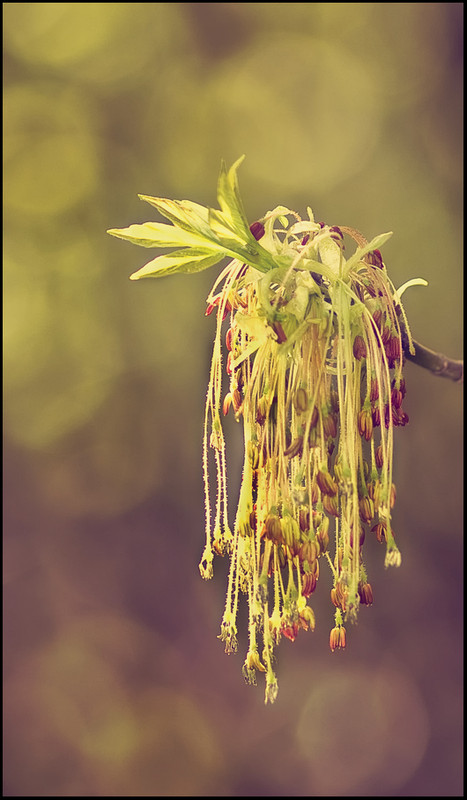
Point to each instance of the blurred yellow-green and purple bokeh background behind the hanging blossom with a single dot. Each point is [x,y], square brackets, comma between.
[115,682]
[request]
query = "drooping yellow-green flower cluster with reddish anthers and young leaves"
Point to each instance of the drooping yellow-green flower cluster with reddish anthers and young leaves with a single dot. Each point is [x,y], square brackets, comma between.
[308,354]
